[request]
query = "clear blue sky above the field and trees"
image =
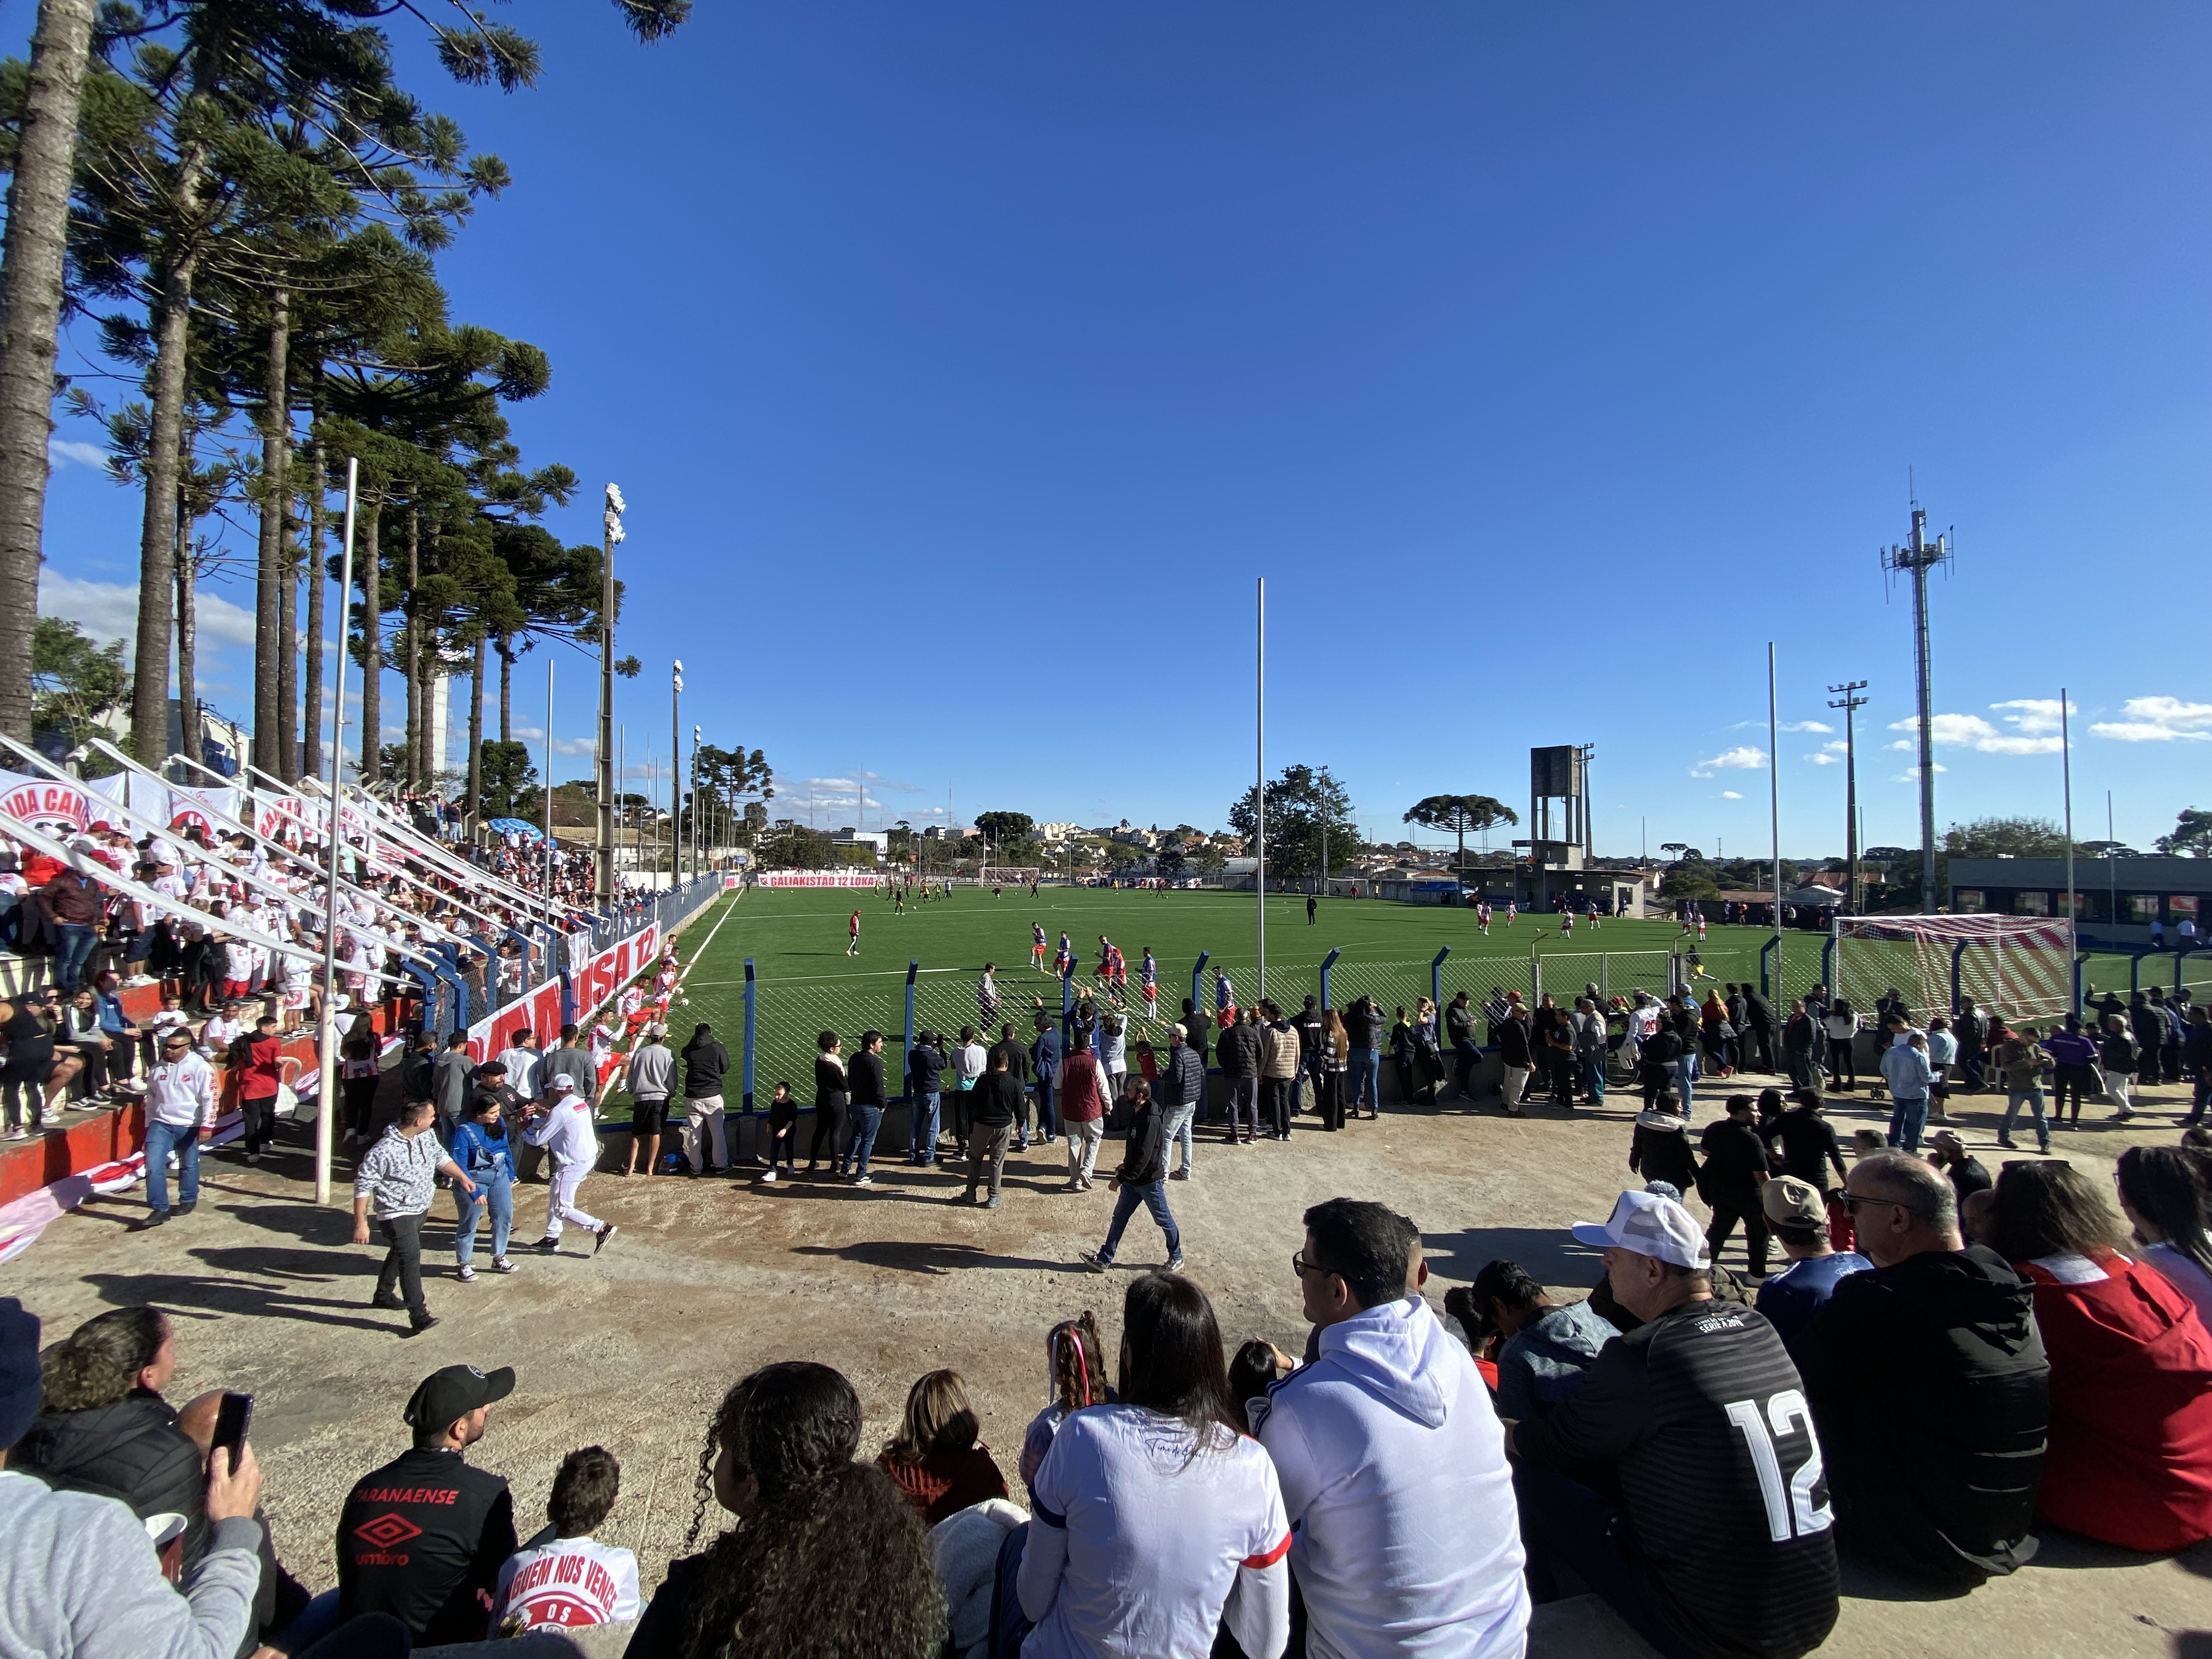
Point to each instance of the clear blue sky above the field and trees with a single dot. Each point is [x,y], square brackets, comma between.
[966,364]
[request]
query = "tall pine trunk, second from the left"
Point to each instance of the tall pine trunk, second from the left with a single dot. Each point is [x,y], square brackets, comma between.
[158,532]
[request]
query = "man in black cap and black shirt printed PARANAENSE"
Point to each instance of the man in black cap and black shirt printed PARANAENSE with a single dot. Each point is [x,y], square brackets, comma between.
[426,1536]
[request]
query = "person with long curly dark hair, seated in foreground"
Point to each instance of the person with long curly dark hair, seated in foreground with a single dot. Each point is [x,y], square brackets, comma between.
[826,1556]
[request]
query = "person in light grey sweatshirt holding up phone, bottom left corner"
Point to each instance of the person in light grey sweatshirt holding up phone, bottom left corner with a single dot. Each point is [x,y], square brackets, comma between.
[76,1569]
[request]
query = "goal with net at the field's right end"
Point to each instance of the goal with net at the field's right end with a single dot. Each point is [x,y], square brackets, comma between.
[2012,966]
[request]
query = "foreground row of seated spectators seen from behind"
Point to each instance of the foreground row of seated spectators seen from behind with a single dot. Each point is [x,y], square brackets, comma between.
[1682,1443]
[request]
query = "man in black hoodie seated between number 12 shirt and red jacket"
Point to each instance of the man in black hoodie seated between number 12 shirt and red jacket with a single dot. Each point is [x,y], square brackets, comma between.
[1943,1335]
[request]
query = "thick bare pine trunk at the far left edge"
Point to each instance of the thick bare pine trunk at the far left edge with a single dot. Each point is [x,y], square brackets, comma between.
[30,313]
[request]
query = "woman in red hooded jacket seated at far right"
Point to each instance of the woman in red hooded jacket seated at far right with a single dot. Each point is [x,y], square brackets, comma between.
[2131,1368]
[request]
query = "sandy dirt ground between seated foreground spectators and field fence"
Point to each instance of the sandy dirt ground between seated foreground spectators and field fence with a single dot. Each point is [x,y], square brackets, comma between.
[711,1280]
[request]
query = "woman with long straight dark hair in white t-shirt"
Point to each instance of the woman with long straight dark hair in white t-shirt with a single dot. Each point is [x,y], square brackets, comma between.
[1158,1521]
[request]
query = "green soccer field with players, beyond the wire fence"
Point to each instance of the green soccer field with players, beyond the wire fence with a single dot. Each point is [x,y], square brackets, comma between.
[806,983]
